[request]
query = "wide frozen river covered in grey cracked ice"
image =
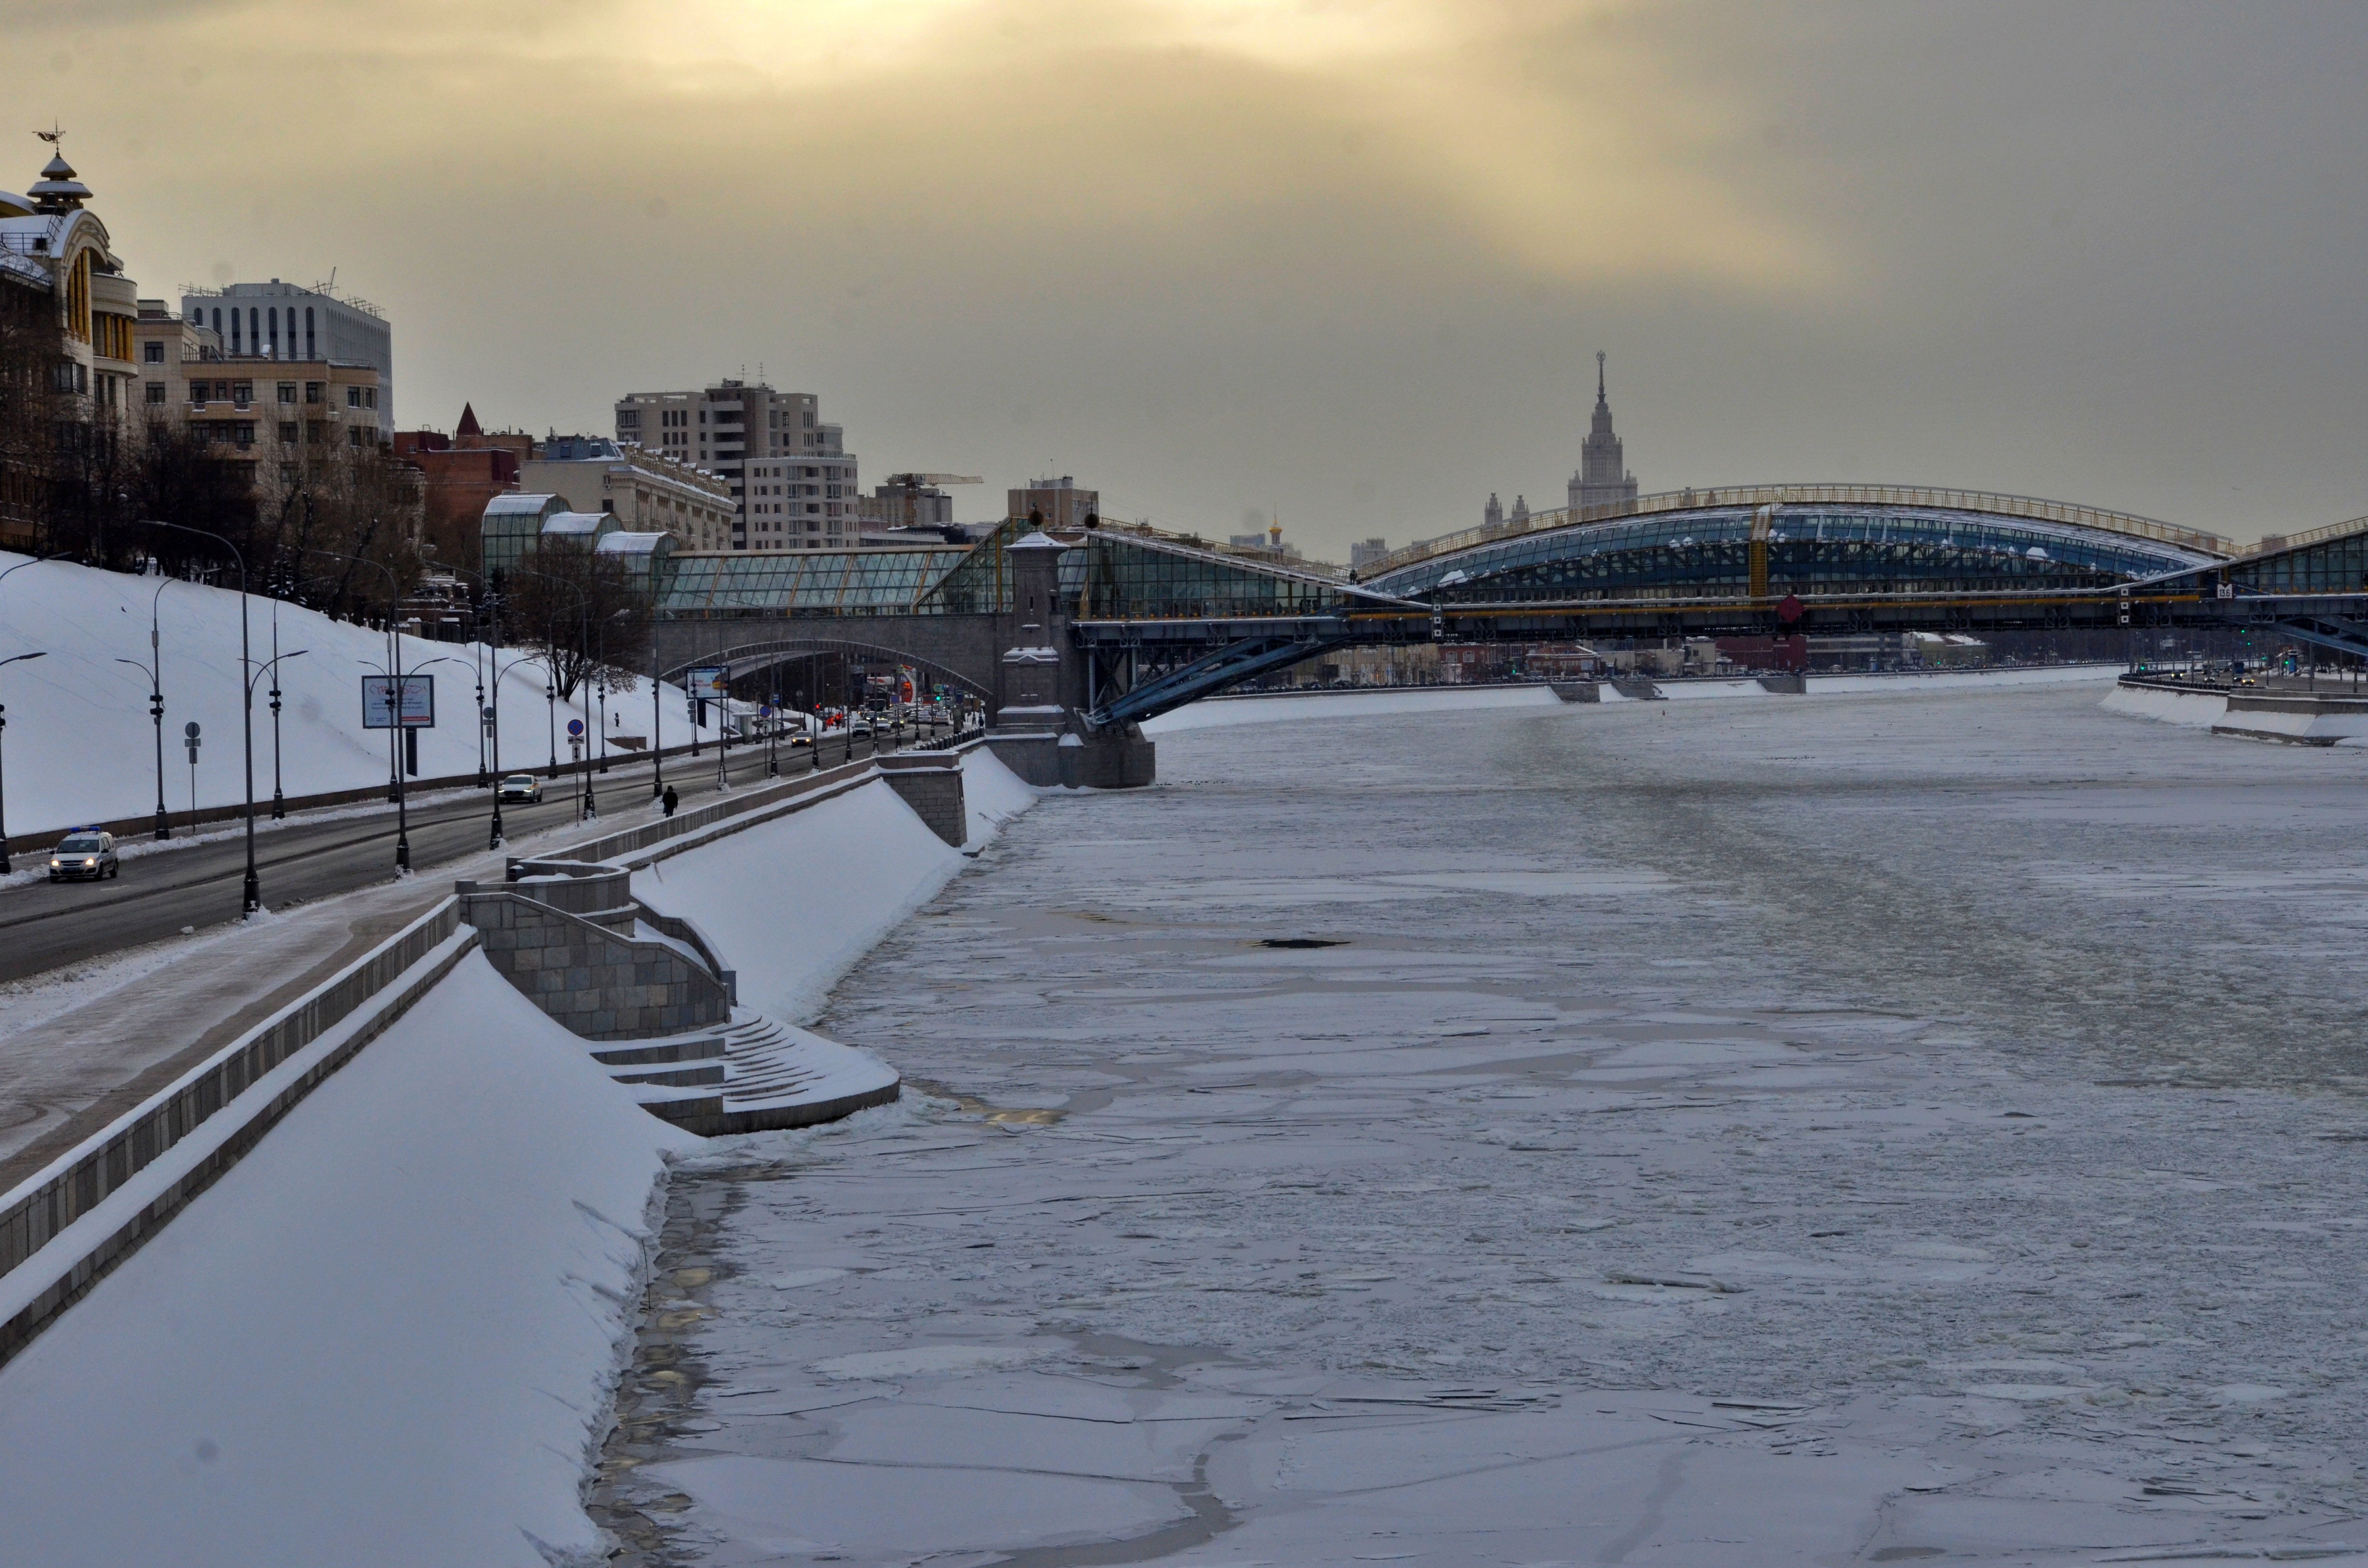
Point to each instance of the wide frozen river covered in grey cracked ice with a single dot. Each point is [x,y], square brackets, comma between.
[1794,1131]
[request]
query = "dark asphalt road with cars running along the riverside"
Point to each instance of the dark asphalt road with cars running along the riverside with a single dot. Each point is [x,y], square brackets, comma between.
[53,925]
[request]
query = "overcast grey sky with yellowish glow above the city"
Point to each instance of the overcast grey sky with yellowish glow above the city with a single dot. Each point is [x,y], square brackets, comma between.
[1339,259]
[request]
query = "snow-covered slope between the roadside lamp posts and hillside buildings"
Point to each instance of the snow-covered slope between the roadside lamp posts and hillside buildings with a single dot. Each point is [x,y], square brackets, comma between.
[79,738]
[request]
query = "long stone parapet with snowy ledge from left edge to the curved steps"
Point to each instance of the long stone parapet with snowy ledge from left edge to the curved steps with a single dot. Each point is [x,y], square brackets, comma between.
[67,1226]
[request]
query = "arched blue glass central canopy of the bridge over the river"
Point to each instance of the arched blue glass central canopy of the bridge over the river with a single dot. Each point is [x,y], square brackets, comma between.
[1808,541]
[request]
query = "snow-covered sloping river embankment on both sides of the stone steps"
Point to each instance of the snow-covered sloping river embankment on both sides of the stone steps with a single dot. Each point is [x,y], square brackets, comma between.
[390,1335]
